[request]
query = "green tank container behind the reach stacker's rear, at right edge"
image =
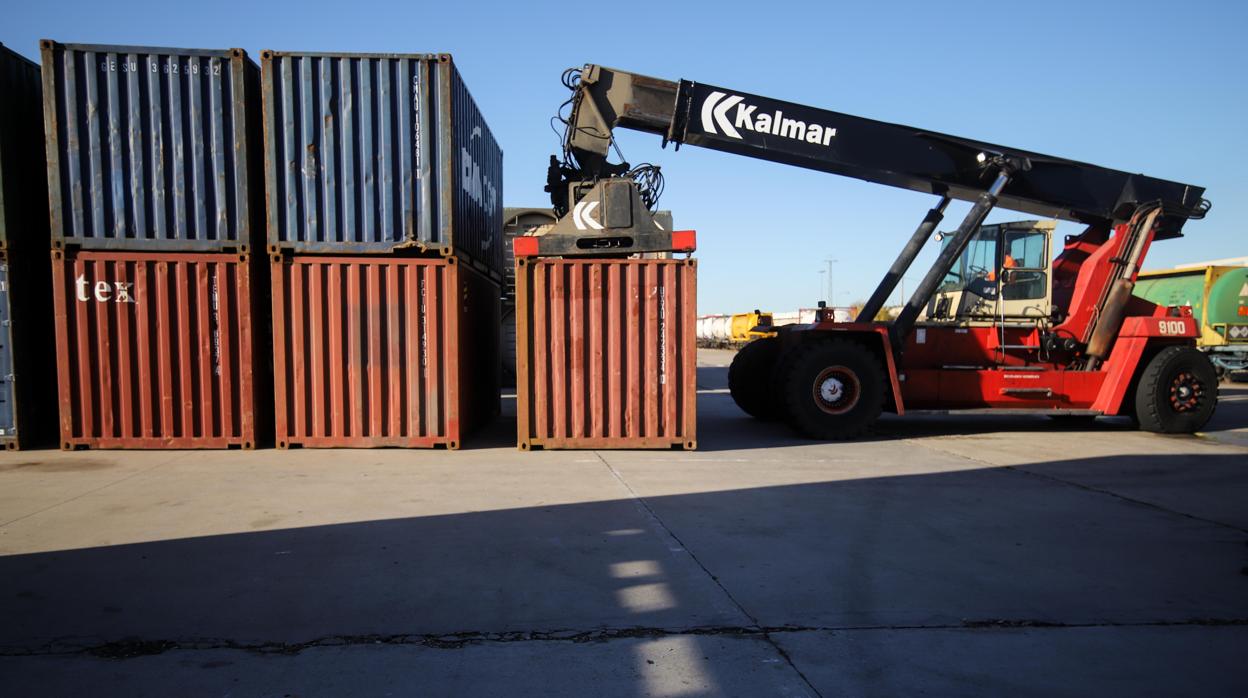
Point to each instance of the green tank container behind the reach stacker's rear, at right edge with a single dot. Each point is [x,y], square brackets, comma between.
[1219,297]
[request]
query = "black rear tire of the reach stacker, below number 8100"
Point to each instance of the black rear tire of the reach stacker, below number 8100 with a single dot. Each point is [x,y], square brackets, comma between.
[1161,404]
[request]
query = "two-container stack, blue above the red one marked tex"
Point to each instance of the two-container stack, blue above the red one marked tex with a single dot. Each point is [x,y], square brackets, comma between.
[157,209]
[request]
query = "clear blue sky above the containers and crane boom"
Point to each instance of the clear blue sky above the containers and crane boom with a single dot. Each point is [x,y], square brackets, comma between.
[1155,88]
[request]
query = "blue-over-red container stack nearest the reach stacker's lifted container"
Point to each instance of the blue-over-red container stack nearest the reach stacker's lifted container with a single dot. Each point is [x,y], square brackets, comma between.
[385,238]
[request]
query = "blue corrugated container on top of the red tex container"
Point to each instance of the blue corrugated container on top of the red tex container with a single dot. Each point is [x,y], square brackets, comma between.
[153,149]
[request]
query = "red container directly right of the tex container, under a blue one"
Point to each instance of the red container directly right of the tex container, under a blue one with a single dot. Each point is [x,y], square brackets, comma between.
[383,351]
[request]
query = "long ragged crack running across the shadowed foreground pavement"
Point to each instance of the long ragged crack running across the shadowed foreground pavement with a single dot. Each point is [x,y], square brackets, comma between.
[137,647]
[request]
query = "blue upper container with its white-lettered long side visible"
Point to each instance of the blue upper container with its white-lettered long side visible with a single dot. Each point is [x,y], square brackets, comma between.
[380,154]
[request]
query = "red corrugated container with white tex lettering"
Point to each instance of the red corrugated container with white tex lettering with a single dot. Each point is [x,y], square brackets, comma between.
[155,350]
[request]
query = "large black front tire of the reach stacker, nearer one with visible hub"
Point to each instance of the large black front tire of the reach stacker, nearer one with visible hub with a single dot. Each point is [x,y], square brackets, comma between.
[804,369]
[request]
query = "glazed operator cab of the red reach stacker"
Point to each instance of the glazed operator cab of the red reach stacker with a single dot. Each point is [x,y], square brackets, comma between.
[1003,275]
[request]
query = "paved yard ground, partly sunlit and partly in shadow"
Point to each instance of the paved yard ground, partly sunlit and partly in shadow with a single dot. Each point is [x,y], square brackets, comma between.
[940,555]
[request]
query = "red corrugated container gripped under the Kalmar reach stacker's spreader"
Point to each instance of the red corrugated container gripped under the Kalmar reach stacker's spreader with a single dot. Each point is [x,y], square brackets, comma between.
[606,354]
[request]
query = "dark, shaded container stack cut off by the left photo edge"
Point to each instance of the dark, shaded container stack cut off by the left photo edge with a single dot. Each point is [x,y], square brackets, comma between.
[28,370]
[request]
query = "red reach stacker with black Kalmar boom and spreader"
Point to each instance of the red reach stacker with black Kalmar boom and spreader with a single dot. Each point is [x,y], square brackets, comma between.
[993,325]
